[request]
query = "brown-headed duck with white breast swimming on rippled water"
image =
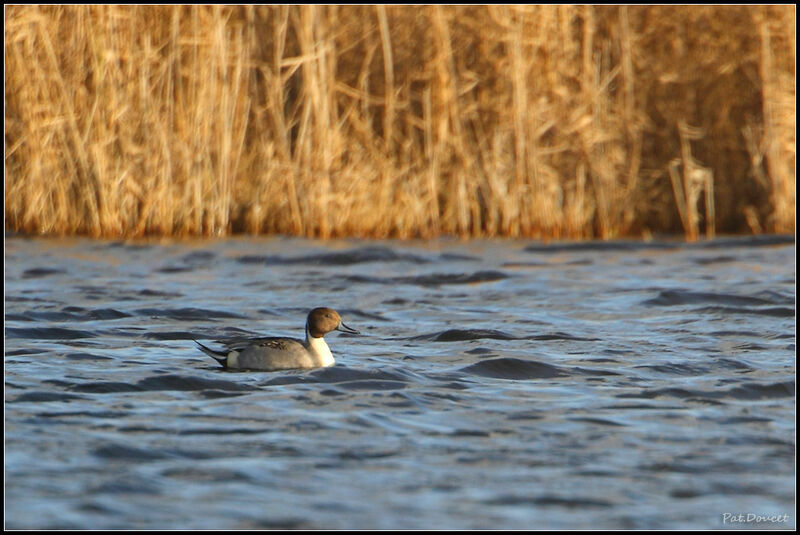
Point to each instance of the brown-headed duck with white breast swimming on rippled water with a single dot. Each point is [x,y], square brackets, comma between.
[272,354]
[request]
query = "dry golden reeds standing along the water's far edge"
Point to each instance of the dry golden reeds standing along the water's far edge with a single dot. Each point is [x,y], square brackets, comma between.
[397,121]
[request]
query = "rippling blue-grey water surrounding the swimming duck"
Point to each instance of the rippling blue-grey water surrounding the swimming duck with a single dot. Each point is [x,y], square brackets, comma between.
[496,384]
